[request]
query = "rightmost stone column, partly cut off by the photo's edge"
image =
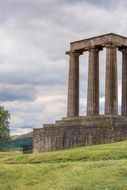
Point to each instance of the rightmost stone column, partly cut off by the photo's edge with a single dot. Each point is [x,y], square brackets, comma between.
[124,82]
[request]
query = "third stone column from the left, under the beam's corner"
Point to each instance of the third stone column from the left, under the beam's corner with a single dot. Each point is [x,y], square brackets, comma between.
[111,86]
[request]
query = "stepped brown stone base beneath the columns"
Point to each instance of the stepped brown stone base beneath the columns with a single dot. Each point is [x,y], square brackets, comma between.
[78,131]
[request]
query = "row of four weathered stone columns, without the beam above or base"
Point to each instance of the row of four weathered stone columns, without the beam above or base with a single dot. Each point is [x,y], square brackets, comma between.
[111,80]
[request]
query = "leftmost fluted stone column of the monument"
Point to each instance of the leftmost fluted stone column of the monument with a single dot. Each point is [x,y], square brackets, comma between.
[73,85]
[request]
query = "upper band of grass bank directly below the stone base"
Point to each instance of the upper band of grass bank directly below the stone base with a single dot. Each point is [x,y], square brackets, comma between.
[113,151]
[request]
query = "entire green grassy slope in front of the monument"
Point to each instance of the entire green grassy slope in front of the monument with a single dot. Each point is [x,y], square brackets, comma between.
[100,167]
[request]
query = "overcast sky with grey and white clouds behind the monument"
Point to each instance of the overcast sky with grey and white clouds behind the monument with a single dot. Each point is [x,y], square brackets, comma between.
[34,35]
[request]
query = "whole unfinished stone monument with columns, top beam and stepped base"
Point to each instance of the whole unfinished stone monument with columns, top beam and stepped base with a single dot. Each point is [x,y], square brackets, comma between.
[75,130]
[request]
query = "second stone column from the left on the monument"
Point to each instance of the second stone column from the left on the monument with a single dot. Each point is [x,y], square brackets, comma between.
[93,82]
